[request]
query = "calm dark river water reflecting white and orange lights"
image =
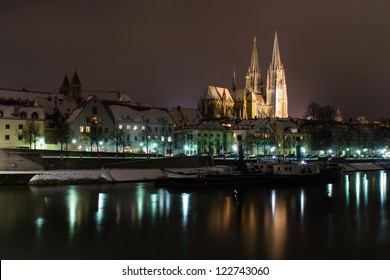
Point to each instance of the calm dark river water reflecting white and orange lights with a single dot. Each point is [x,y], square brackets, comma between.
[347,219]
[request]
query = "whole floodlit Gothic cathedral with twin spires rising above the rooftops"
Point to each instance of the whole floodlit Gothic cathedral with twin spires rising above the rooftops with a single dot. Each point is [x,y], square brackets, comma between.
[256,100]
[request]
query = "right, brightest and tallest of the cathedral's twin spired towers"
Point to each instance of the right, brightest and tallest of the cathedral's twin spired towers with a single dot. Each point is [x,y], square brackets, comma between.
[277,101]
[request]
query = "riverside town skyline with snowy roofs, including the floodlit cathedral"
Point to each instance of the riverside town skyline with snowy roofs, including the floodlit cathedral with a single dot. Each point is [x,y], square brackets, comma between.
[75,119]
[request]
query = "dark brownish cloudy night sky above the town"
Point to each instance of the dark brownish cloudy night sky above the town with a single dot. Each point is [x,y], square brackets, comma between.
[167,52]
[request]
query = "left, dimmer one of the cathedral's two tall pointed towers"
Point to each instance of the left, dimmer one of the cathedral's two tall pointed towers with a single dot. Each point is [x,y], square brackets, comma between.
[254,81]
